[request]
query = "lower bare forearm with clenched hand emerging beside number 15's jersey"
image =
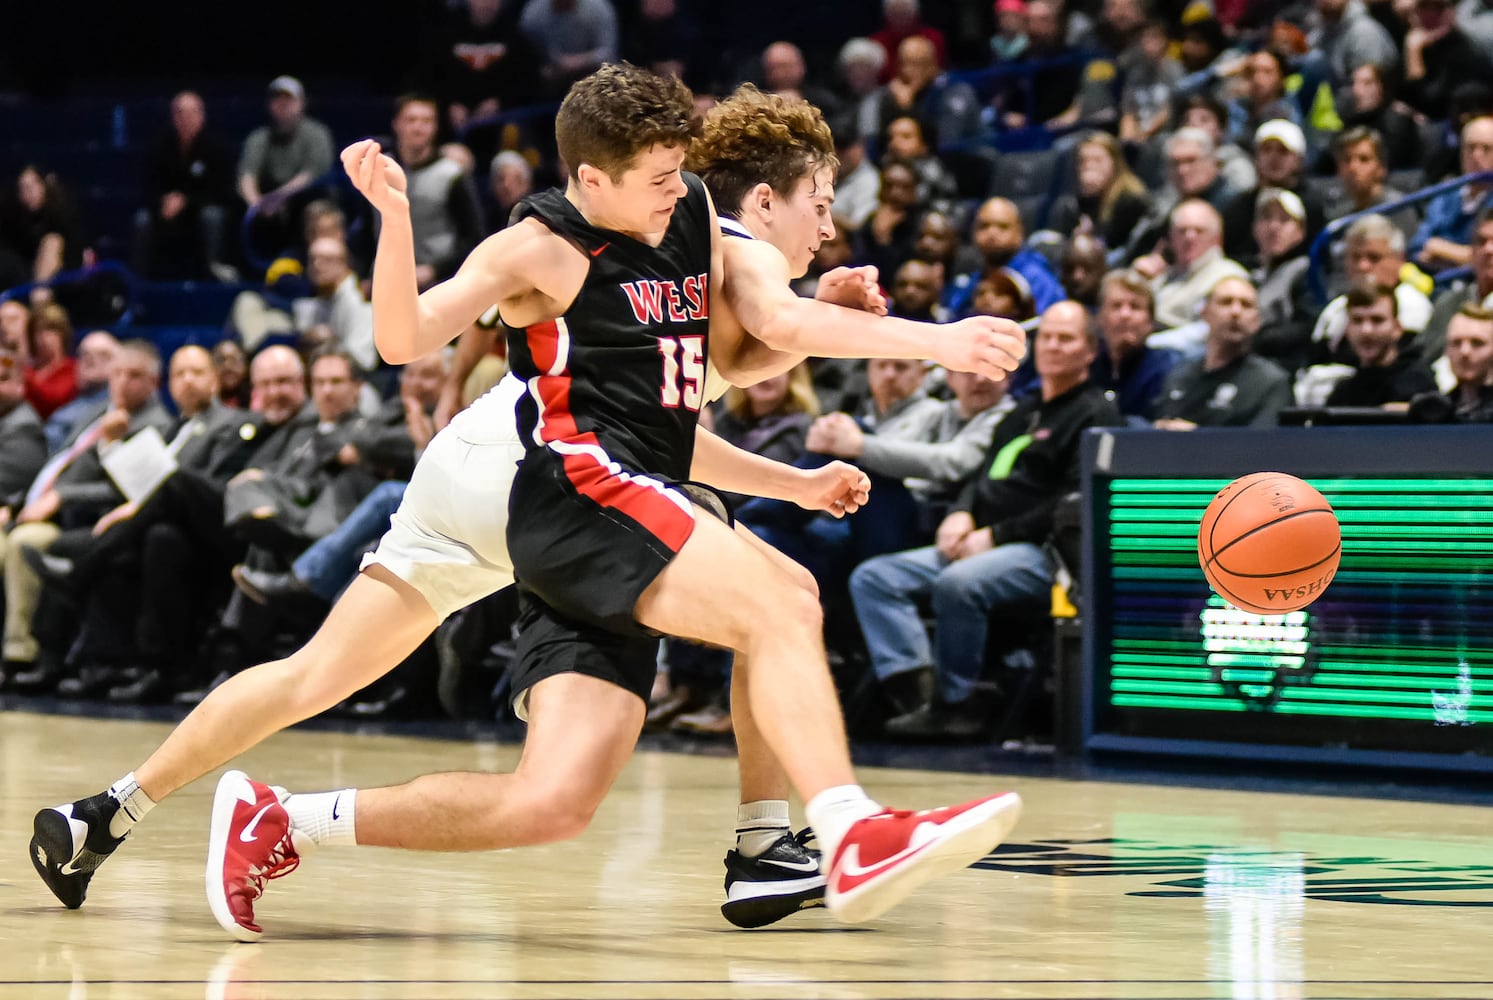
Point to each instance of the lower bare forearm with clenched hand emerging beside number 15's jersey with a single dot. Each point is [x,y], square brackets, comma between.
[838,489]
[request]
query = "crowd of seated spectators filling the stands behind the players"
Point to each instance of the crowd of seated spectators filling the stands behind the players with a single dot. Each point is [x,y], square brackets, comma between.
[1138,181]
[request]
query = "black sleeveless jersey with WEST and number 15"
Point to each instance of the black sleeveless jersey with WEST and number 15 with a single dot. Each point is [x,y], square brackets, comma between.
[620,377]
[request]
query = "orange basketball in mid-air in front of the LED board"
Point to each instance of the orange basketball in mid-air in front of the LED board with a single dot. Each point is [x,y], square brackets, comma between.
[1270,544]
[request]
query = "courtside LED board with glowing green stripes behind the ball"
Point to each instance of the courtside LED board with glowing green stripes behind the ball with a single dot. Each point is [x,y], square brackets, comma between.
[1394,666]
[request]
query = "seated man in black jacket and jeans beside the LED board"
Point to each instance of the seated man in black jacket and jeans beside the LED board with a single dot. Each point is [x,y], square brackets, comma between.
[989,550]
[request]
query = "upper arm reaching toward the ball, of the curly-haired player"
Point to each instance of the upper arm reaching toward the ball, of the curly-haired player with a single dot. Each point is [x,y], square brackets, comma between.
[758,292]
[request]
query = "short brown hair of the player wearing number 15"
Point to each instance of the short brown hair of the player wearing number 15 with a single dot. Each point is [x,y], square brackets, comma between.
[620,111]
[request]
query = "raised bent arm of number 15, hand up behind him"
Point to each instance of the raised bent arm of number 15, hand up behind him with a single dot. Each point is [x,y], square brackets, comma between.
[408,325]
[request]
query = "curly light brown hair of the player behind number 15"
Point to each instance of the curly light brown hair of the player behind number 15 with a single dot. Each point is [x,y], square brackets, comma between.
[755,138]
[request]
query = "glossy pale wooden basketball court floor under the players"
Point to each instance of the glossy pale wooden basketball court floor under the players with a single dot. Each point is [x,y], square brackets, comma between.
[1109,890]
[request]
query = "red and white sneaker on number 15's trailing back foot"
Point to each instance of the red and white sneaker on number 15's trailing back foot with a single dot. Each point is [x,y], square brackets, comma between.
[252,841]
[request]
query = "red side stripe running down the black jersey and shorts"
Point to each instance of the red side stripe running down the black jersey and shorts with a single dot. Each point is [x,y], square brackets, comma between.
[586,471]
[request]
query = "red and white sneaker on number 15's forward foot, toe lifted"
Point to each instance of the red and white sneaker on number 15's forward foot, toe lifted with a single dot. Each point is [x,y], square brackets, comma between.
[888,856]
